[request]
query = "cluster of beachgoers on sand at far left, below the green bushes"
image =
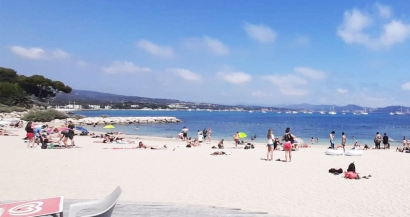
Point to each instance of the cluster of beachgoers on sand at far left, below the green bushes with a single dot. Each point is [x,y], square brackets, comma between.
[42,134]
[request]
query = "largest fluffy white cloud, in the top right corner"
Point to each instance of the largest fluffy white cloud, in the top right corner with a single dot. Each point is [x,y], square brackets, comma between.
[355,22]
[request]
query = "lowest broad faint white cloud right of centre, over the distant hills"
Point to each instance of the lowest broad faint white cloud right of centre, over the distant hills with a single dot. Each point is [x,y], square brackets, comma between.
[289,84]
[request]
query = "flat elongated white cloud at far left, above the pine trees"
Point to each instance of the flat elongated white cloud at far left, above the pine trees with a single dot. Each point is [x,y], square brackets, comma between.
[36,53]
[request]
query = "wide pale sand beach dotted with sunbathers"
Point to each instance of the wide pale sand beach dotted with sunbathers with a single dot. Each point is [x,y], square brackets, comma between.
[192,176]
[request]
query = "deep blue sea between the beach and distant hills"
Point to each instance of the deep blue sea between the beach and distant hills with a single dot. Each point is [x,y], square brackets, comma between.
[224,124]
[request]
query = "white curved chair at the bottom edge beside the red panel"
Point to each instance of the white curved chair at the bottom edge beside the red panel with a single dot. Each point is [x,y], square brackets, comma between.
[104,207]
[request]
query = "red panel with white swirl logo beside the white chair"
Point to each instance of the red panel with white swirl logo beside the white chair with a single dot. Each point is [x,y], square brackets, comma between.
[32,208]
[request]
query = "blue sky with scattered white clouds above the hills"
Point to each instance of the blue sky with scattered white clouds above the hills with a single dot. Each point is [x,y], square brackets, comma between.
[229,52]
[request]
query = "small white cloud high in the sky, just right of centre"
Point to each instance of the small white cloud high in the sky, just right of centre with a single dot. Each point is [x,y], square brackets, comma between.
[260,33]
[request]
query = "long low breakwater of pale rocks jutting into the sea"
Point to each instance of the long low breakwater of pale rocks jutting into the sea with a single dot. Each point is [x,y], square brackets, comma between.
[120,120]
